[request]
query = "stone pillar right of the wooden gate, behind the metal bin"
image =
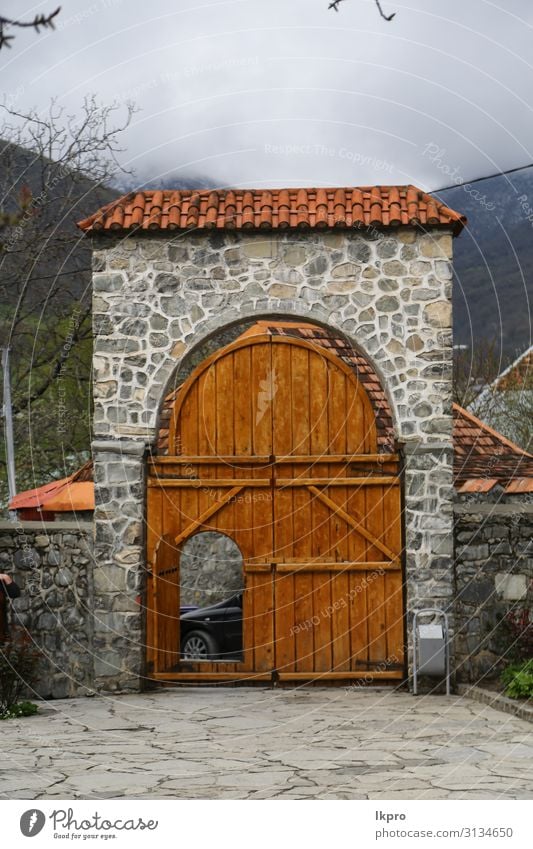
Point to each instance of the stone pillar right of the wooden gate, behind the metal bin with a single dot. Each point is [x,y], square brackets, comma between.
[428,522]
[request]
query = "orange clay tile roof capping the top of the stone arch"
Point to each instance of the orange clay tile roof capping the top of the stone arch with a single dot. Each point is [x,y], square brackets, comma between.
[272,209]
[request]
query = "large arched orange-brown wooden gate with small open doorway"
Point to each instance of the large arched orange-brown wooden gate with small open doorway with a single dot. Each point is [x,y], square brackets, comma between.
[273,441]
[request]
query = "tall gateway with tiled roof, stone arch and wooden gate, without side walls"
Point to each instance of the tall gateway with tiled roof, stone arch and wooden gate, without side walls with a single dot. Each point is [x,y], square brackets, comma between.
[178,277]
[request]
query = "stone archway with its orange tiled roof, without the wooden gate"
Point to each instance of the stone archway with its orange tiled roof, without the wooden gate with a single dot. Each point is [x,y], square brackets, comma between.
[374,265]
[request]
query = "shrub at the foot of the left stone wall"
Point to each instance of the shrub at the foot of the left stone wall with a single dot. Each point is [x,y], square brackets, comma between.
[18,667]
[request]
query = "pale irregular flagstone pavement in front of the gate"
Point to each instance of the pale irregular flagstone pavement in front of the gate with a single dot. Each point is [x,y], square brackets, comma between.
[304,743]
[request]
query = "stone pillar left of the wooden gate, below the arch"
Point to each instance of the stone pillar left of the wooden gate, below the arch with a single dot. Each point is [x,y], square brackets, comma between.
[119,564]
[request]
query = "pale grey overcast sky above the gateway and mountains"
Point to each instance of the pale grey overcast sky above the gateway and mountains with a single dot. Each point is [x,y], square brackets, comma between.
[285,92]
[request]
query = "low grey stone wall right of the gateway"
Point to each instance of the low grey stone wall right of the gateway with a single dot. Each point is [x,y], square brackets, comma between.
[493,574]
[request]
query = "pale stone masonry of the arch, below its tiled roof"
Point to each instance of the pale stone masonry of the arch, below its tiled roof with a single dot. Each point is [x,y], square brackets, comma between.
[157,299]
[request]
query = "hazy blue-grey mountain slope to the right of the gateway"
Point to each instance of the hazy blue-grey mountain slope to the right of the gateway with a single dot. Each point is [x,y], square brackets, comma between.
[493,261]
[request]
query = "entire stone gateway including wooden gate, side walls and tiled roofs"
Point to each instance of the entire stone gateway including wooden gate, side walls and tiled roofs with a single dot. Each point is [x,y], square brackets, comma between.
[273,426]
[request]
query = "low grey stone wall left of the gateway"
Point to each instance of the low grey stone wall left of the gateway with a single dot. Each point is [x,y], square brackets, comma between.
[52,563]
